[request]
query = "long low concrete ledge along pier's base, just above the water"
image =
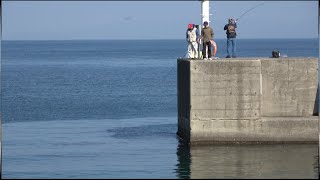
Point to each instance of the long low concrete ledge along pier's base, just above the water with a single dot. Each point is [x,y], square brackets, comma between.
[275,130]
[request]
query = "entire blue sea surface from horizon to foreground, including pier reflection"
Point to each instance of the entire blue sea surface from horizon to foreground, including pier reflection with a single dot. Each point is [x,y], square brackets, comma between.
[108,109]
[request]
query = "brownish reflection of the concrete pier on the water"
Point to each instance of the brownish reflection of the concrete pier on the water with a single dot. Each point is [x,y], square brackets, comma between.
[247,161]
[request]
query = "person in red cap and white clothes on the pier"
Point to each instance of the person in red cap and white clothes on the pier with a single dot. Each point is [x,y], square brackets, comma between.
[192,36]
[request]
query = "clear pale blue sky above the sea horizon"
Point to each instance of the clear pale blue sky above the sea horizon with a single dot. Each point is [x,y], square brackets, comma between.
[67,20]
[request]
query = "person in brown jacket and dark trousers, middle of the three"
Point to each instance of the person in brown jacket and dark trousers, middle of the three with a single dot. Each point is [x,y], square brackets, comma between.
[207,36]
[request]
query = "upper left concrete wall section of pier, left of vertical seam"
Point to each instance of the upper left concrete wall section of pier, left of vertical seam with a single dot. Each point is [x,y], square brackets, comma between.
[225,89]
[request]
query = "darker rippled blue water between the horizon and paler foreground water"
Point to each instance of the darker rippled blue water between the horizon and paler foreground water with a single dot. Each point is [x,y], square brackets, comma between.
[67,80]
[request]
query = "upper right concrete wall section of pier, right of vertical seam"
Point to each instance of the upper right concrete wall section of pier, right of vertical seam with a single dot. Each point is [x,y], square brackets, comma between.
[289,86]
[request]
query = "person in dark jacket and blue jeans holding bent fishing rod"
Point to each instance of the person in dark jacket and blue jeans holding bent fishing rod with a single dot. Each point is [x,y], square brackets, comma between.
[231,37]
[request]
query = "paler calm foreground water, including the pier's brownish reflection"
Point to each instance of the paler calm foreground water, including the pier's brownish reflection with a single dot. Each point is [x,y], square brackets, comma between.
[140,148]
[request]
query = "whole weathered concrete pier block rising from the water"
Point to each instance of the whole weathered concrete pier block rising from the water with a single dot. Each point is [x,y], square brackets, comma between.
[248,100]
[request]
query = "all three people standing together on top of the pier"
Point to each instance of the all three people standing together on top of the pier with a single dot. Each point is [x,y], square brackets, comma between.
[193,38]
